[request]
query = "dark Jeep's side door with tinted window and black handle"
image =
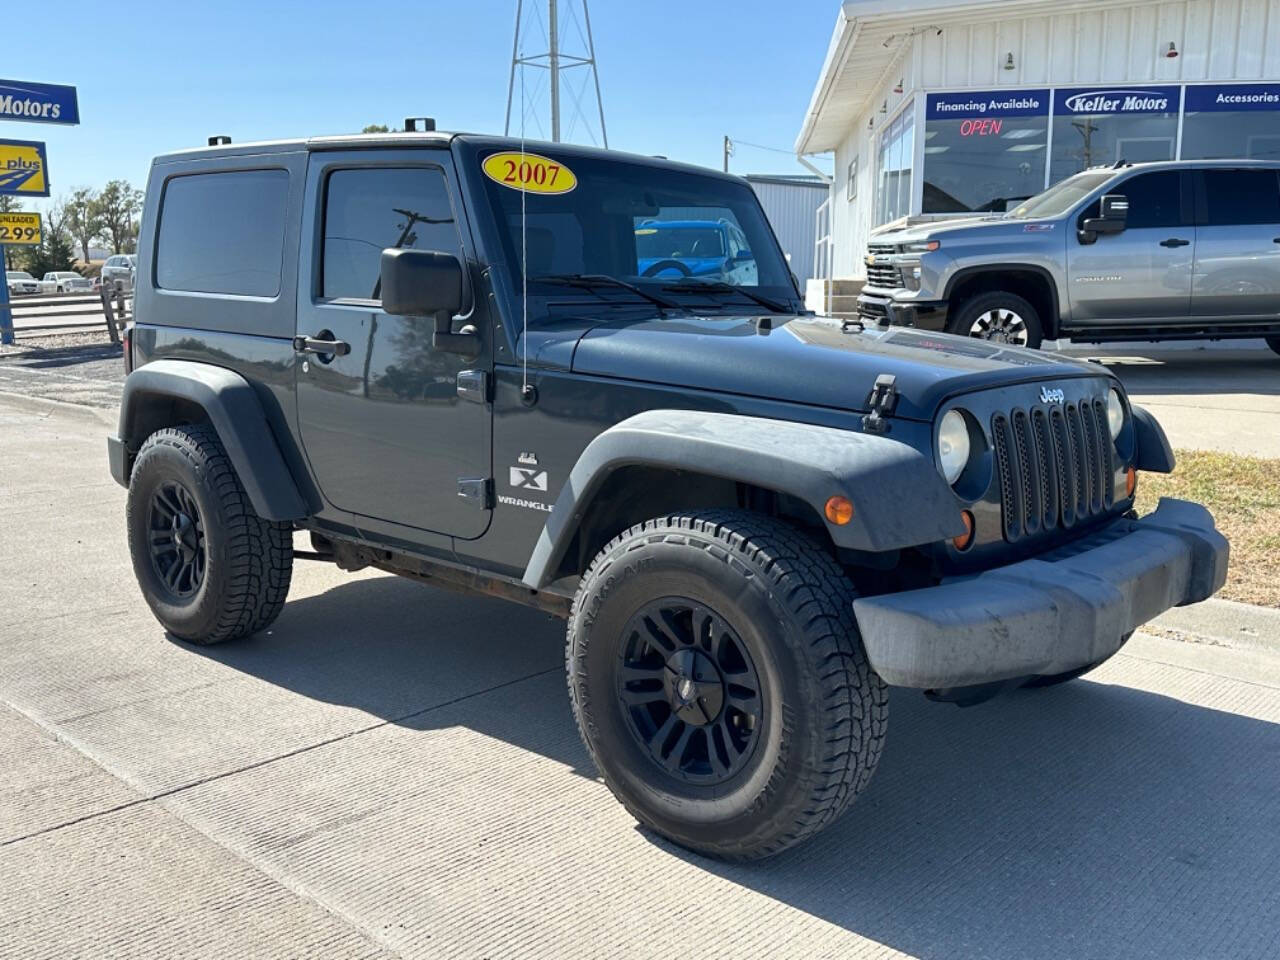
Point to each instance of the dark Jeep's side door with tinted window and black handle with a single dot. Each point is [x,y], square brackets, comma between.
[383,426]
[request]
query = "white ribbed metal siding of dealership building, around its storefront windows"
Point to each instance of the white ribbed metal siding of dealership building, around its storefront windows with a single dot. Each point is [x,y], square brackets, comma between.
[1217,40]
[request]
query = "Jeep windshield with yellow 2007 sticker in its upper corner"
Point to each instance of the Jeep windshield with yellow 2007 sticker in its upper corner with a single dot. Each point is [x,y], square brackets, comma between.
[660,234]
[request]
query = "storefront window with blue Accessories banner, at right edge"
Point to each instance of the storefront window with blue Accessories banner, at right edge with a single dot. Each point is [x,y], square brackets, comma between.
[1237,122]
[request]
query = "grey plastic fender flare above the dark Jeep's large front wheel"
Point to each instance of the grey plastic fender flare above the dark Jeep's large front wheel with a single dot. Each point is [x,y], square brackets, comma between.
[899,497]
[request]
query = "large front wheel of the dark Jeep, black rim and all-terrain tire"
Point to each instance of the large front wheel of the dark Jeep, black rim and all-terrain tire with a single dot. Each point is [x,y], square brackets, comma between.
[720,683]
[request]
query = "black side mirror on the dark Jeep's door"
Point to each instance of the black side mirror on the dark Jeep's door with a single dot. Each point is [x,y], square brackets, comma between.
[428,284]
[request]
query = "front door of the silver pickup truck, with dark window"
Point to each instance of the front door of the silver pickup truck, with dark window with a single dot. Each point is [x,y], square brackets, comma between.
[1145,272]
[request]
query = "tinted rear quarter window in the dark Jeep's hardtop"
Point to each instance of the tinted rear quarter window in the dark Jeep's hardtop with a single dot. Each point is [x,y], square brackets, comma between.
[223,234]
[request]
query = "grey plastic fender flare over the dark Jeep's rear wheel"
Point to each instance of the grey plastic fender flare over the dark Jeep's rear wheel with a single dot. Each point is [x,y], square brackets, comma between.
[235,410]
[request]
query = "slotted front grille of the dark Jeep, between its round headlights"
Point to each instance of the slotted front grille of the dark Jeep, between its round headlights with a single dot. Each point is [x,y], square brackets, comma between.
[1057,467]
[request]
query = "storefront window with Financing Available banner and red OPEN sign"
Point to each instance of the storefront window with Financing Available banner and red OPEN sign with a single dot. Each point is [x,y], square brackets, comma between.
[984,152]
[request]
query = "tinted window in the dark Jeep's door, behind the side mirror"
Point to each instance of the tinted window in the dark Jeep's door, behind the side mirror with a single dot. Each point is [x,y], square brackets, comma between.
[368,211]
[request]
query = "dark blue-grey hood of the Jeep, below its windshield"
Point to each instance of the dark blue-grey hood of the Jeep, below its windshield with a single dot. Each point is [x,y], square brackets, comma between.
[811,360]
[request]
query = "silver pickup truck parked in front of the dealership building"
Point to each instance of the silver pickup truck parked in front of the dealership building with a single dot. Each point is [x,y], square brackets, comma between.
[1136,252]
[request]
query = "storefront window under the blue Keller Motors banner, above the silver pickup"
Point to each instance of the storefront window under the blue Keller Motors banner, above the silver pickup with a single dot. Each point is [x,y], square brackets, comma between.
[1095,126]
